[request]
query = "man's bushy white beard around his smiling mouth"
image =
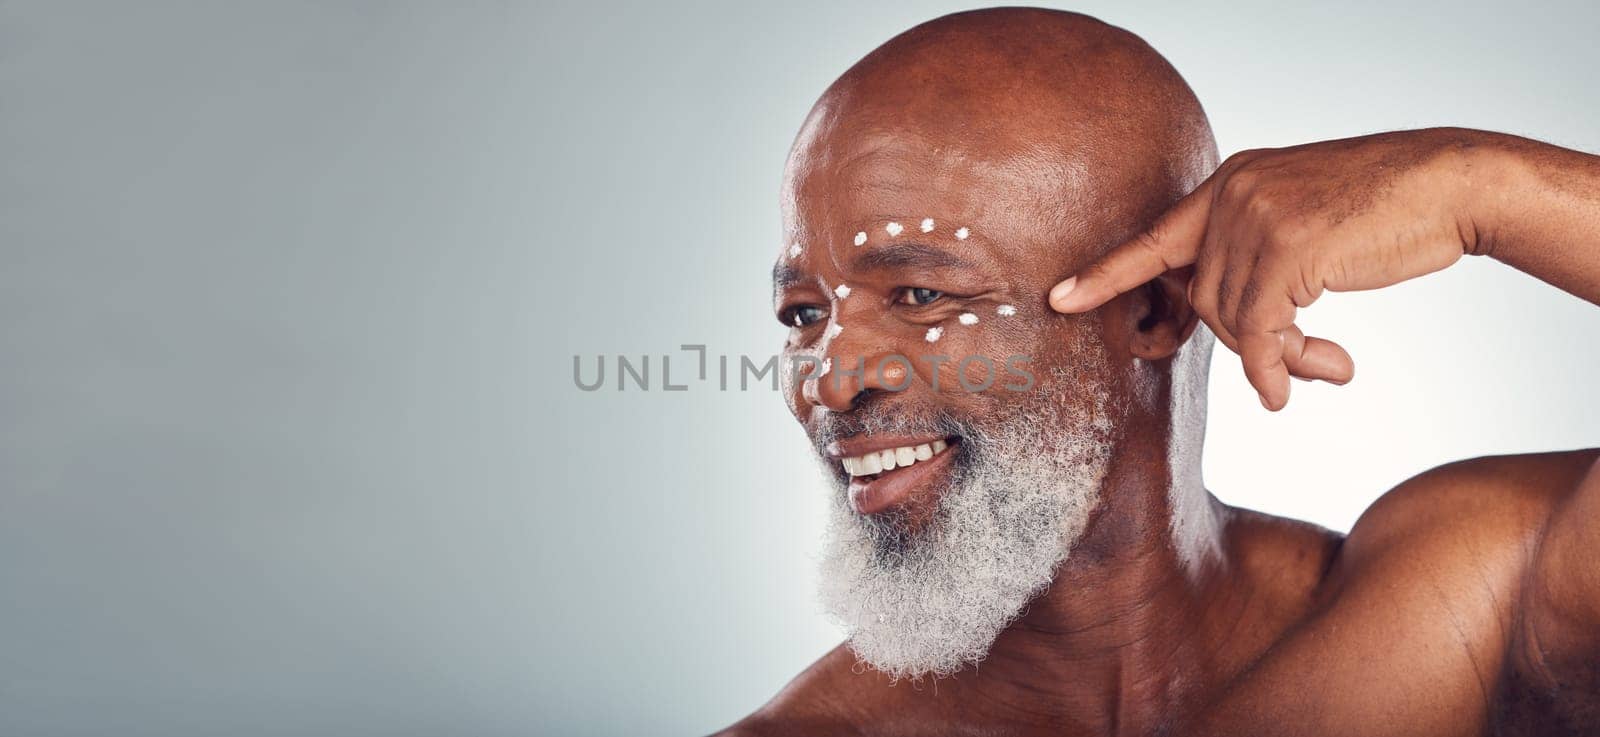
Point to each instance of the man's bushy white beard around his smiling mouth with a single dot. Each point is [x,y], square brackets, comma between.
[1020,498]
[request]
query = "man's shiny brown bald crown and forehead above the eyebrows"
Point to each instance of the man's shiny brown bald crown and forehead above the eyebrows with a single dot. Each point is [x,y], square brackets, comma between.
[1018,114]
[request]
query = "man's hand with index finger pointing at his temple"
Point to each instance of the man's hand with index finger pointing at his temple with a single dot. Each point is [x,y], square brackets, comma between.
[1273,229]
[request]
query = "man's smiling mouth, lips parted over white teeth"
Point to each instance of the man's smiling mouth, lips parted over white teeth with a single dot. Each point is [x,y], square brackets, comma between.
[889,472]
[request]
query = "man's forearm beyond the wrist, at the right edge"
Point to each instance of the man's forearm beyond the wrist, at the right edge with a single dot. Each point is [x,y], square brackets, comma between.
[1538,210]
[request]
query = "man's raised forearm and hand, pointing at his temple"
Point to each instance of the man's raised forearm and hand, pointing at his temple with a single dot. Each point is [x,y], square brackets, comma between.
[1273,229]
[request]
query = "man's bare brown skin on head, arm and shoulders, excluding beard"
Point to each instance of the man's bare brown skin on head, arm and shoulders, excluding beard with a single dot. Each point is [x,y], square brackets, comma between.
[1465,602]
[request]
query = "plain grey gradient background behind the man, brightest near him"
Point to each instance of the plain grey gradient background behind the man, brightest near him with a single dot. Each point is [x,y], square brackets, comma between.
[290,292]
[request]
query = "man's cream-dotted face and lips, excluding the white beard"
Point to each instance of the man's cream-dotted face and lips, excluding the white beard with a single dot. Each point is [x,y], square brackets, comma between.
[938,313]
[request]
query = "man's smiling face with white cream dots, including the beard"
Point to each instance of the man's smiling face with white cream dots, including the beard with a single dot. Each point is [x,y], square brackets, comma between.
[942,309]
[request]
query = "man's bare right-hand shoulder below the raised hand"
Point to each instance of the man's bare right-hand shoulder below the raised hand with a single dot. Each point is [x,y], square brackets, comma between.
[1415,616]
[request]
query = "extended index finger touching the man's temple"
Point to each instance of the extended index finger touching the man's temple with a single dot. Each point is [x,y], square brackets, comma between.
[1170,244]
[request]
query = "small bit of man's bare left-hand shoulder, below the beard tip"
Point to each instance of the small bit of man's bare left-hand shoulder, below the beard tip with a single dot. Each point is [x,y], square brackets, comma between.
[818,701]
